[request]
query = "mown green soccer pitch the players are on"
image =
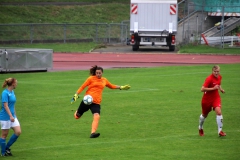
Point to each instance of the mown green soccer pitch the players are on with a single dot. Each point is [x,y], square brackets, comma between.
[156,119]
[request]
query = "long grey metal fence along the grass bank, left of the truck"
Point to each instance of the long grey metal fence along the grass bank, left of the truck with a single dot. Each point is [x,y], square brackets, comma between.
[49,33]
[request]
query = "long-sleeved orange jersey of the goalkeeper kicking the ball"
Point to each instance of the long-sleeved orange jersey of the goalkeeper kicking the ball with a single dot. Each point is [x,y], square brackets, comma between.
[95,87]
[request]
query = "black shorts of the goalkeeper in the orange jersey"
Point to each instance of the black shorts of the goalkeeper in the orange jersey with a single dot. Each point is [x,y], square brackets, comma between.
[95,108]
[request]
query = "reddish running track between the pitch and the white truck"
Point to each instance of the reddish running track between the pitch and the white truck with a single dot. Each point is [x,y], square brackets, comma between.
[84,61]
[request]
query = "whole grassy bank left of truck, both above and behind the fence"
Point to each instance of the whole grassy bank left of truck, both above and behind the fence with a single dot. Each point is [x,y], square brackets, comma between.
[97,13]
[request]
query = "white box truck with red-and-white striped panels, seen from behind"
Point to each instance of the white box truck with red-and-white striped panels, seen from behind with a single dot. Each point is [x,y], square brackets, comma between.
[153,23]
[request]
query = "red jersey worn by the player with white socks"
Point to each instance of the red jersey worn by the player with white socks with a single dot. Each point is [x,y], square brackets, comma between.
[210,82]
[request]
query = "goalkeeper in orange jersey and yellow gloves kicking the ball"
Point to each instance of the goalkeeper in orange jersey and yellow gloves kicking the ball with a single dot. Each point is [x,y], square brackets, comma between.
[95,84]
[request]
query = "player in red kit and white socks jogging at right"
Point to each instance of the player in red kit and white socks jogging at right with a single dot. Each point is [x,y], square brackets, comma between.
[211,100]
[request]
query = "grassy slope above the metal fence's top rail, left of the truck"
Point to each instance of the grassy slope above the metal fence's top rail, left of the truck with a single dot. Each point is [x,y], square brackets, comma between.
[96,13]
